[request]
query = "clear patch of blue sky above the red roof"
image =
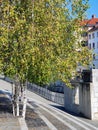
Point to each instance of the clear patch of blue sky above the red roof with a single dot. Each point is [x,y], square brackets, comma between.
[93,9]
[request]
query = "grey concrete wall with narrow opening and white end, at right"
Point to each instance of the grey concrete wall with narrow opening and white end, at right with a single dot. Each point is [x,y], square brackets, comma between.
[87,94]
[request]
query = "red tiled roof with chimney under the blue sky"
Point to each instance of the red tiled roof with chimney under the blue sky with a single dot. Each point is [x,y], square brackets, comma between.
[90,22]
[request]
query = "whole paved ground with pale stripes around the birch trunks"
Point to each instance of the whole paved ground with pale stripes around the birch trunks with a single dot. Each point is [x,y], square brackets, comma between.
[41,114]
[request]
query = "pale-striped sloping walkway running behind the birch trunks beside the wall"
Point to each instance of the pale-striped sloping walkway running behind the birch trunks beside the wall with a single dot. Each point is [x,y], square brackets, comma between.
[53,114]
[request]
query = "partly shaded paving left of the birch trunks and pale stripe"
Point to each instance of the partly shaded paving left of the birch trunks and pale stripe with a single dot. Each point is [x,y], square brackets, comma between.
[7,120]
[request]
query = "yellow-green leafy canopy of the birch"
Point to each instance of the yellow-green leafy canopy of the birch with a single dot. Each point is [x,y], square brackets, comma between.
[40,39]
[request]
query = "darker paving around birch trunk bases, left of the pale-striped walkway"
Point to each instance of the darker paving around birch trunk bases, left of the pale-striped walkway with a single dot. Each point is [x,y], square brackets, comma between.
[9,122]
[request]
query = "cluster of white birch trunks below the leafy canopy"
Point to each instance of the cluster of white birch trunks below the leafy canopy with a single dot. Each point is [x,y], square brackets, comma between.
[19,90]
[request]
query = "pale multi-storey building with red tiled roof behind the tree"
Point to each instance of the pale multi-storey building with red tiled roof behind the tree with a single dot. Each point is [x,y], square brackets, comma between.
[90,38]
